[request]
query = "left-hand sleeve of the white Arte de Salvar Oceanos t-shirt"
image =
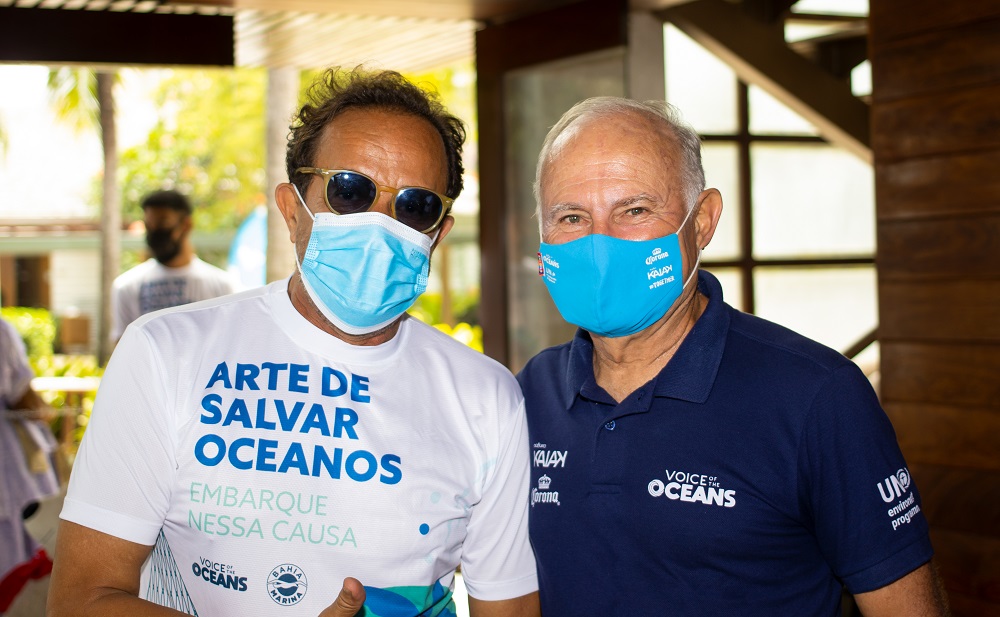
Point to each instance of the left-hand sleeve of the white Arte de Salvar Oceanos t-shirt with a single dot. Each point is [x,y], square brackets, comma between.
[126,464]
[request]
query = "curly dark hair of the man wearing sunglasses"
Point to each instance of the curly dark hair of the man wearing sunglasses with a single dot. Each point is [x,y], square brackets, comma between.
[338,90]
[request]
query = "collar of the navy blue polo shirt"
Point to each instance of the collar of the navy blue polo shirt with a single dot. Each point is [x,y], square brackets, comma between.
[688,376]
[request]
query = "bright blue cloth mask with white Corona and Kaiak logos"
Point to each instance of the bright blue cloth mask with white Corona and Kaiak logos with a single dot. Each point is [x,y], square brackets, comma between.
[613,287]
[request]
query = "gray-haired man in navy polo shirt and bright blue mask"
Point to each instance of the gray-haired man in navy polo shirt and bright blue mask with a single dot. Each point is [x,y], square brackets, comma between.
[690,459]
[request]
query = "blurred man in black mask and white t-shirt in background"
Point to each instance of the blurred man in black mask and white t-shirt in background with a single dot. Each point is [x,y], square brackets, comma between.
[174,274]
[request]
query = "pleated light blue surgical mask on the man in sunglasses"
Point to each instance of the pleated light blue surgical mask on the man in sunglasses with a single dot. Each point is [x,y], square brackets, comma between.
[362,271]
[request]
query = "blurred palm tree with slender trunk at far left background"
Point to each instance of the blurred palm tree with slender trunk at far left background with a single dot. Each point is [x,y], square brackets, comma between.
[85,98]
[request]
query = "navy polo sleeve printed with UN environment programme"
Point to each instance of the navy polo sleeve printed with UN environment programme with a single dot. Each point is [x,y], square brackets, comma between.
[854,480]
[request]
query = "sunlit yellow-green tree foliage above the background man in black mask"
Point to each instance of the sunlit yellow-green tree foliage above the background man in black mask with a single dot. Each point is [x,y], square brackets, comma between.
[208,143]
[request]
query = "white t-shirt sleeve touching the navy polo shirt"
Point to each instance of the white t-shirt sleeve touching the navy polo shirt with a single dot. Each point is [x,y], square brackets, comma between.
[497,561]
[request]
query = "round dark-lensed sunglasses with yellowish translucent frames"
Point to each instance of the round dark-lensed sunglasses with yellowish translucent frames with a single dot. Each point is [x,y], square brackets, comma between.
[350,192]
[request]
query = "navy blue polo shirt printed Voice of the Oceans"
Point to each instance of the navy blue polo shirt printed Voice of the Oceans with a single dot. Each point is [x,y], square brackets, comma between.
[755,475]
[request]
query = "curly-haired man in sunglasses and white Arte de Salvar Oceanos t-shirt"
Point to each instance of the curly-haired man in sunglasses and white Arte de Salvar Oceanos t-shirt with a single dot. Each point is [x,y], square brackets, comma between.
[247,454]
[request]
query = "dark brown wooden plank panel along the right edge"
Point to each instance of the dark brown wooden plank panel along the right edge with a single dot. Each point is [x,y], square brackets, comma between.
[936,142]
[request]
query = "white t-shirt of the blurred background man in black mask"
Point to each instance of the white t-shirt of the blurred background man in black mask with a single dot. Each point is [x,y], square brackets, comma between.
[151,286]
